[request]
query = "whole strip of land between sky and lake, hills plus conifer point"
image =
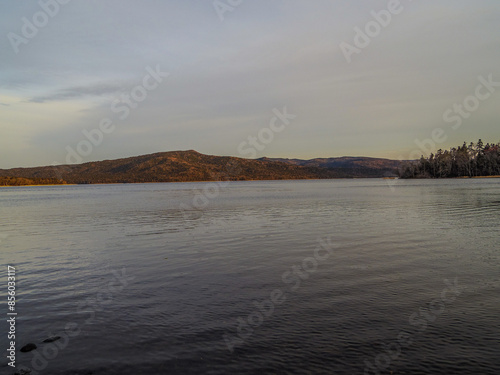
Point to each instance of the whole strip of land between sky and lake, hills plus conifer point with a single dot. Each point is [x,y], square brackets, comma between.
[475,159]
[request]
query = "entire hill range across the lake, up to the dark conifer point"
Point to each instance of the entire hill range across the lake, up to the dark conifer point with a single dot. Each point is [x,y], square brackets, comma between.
[185,166]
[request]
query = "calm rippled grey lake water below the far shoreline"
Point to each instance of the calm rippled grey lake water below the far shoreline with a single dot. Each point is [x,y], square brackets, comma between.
[278,277]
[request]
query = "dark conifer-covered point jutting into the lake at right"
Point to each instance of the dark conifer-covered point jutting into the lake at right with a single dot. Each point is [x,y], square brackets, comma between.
[473,160]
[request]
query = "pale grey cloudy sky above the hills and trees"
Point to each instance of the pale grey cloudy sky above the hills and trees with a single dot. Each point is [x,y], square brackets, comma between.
[230,67]
